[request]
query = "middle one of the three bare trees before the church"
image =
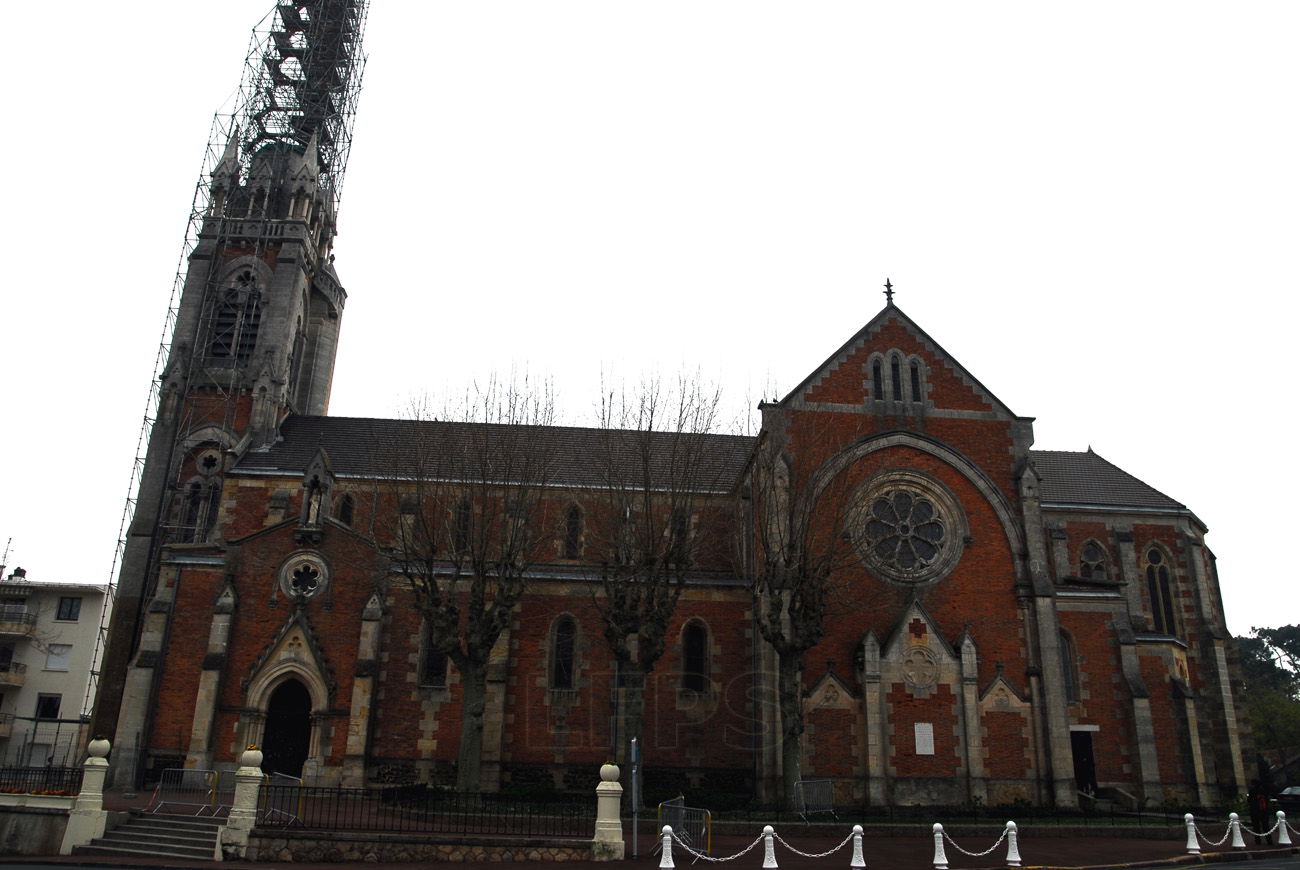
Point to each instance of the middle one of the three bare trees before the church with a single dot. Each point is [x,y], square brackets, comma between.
[664,473]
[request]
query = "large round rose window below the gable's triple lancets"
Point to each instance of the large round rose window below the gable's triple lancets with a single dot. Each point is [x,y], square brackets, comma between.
[907,527]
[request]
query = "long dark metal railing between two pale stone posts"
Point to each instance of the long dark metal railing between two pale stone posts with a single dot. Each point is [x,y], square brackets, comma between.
[421,810]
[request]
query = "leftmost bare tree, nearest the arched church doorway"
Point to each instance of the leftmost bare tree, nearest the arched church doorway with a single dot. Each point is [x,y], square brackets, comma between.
[473,517]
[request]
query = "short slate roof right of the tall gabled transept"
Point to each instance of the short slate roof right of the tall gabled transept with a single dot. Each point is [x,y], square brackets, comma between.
[1087,479]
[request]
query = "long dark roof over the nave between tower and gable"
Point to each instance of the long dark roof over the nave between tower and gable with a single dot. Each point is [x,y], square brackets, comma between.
[577,456]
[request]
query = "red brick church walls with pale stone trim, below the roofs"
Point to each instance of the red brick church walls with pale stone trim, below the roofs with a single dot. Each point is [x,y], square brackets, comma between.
[990,624]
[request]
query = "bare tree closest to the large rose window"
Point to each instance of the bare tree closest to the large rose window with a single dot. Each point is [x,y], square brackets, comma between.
[800,543]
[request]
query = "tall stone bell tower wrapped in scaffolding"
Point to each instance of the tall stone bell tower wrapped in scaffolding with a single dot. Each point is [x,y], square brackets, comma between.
[253,324]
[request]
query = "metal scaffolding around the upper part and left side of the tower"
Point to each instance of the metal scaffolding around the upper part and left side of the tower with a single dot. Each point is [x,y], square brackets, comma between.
[300,89]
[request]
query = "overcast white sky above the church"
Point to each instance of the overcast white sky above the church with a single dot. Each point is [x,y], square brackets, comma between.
[1094,207]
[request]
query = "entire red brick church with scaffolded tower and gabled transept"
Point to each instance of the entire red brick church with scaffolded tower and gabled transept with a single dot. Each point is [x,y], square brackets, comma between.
[999,624]
